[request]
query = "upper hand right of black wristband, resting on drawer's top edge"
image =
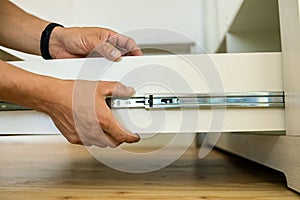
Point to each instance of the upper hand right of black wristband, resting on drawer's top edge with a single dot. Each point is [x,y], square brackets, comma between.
[80,42]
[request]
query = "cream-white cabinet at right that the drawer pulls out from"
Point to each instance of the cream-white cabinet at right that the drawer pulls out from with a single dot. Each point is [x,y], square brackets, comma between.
[262,34]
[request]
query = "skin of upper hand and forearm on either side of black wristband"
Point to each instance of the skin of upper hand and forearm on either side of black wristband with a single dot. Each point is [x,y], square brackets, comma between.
[22,31]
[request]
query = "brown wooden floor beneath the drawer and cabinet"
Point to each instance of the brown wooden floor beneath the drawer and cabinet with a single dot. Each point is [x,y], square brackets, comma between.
[41,170]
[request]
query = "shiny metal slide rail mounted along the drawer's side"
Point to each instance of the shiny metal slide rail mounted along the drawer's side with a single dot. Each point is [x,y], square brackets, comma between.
[202,101]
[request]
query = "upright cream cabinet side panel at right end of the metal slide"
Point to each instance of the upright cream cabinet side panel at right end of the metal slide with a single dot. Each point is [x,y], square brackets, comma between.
[290,33]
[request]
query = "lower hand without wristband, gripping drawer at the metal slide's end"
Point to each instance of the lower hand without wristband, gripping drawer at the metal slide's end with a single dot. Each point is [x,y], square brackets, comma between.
[87,119]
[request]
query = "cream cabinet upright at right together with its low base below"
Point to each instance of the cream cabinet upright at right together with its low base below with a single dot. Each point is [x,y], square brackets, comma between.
[278,152]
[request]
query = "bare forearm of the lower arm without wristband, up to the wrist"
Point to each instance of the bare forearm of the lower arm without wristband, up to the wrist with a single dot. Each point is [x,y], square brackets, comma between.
[27,89]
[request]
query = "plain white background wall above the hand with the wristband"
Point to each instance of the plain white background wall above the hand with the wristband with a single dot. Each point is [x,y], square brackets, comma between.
[182,19]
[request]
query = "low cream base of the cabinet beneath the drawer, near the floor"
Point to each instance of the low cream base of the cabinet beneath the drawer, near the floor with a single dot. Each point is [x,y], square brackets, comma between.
[277,152]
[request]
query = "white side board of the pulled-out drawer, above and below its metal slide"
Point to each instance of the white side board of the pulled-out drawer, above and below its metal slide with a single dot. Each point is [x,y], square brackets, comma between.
[169,74]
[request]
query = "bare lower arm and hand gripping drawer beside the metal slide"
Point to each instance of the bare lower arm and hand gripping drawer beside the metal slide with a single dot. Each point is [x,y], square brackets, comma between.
[77,107]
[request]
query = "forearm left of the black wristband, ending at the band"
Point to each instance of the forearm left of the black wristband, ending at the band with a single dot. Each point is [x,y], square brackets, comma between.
[20,30]
